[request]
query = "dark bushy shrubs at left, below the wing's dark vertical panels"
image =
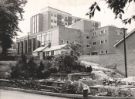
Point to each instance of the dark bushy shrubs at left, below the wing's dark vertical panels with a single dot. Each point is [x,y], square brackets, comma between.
[24,69]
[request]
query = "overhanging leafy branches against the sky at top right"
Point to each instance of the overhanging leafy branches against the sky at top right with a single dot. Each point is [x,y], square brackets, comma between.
[117,6]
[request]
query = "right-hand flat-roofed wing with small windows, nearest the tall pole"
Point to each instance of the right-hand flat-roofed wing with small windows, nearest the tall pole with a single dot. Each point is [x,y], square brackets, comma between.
[104,38]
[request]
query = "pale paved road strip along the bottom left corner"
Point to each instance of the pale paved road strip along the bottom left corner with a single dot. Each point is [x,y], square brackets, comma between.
[6,94]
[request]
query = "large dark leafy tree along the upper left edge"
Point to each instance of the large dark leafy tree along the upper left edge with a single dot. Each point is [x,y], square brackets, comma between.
[10,14]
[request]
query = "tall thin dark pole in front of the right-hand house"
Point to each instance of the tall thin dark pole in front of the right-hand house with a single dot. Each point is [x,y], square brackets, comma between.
[125,51]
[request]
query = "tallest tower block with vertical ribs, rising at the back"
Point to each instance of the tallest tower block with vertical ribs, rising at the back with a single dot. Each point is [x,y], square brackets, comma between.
[49,18]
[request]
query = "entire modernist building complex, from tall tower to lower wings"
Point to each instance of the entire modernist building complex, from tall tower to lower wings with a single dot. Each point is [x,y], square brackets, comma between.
[54,27]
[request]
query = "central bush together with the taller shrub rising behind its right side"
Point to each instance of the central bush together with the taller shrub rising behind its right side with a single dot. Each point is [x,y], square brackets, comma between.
[68,62]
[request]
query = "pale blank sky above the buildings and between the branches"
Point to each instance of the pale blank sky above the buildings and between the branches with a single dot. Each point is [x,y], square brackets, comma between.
[77,8]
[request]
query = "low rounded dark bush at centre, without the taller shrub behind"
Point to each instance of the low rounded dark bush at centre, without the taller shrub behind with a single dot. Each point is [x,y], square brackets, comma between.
[66,63]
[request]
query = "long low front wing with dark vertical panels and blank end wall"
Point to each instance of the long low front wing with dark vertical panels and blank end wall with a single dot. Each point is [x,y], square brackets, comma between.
[55,36]
